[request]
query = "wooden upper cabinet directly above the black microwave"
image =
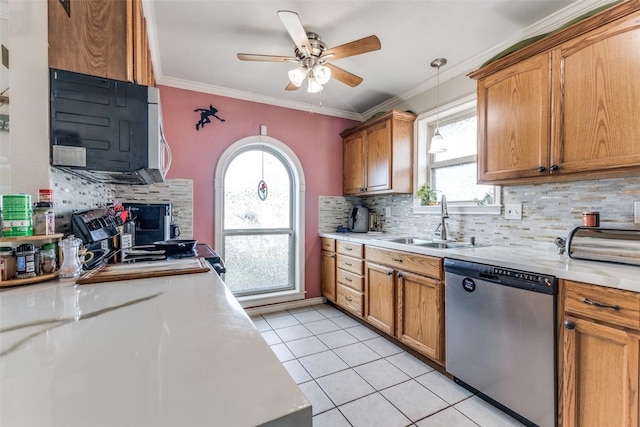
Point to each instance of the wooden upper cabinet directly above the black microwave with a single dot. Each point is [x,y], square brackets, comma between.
[101,38]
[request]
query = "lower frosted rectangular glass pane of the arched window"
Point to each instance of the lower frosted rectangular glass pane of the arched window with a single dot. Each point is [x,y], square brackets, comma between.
[257,263]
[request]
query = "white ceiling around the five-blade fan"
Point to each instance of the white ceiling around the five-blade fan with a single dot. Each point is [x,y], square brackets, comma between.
[194,44]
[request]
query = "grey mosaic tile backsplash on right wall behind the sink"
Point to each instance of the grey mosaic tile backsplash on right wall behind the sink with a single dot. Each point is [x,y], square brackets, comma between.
[548,211]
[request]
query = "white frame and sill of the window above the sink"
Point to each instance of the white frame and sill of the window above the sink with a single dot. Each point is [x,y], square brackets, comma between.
[423,128]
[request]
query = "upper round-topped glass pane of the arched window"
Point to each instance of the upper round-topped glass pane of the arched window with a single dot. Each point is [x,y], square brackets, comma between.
[243,209]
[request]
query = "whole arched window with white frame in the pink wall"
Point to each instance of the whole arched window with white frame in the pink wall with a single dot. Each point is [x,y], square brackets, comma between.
[259,221]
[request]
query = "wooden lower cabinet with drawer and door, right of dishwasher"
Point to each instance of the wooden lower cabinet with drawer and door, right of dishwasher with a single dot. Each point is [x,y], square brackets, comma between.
[601,357]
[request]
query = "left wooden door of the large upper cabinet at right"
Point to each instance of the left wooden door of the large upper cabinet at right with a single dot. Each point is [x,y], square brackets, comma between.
[514,121]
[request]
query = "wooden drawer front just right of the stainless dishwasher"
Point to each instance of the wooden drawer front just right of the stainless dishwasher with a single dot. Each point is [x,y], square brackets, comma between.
[627,315]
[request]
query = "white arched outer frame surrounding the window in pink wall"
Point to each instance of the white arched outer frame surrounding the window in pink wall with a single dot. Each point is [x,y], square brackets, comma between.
[299,189]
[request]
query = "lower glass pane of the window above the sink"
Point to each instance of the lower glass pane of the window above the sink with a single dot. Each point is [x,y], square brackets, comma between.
[457,182]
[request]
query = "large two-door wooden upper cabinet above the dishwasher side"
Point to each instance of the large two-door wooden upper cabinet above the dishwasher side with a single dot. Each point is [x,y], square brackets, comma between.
[565,107]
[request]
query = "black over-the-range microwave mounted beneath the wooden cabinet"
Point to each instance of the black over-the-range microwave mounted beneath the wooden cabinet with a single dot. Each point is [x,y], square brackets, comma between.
[106,130]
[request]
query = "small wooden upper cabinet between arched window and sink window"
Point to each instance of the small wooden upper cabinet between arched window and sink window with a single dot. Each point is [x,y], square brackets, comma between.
[378,155]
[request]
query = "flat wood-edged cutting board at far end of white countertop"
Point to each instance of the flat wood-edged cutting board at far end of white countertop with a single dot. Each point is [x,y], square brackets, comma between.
[142,270]
